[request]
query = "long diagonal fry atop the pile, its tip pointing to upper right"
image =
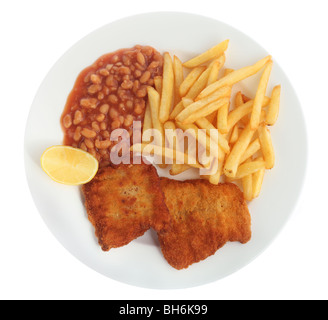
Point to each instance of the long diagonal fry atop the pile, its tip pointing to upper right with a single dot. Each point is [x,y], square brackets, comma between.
[234,77]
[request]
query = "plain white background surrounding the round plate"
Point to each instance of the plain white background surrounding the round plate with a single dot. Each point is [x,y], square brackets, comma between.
[35,34]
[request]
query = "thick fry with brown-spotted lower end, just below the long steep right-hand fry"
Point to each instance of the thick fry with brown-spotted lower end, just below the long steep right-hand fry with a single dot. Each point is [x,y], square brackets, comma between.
[233,159]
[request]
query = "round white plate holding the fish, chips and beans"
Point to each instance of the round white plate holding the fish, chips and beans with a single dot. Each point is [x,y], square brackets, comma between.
[141,263]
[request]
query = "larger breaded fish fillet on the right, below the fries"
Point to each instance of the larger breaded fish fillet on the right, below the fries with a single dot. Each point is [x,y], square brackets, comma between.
[203,218]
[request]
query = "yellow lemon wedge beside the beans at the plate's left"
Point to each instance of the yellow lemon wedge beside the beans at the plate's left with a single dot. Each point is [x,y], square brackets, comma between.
[68,165]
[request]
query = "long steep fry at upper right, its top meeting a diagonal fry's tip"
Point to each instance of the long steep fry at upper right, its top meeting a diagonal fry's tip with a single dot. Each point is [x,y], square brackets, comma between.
[259,97]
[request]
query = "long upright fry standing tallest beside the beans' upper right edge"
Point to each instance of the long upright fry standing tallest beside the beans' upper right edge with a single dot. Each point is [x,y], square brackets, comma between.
[167,89]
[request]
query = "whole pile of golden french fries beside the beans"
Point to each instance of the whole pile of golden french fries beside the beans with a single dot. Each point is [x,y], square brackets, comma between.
[197,95]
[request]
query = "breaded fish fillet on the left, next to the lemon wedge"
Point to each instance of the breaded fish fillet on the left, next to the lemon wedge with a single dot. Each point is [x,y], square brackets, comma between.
[123,203]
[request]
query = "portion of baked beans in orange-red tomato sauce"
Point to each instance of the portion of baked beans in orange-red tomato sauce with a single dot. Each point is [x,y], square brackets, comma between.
[115,85]
